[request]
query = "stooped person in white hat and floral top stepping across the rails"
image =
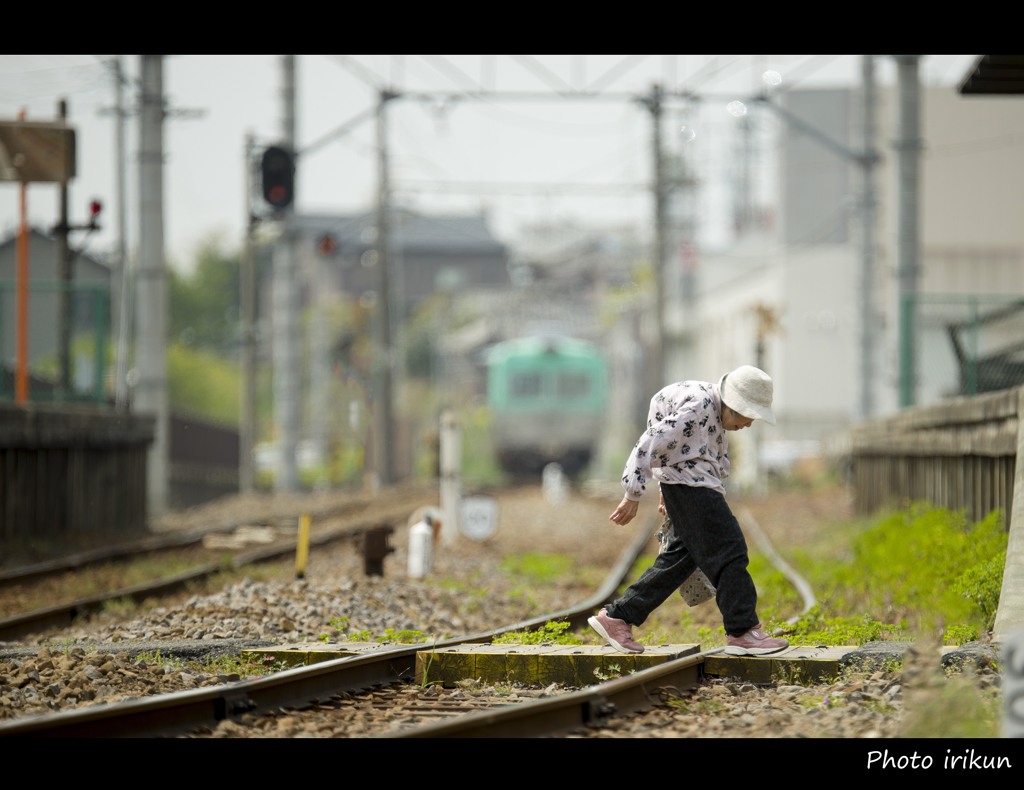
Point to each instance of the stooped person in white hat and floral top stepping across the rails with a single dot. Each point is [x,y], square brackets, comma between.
[686,449]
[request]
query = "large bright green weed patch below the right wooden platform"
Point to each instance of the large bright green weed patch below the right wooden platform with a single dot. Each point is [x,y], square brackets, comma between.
[905,575]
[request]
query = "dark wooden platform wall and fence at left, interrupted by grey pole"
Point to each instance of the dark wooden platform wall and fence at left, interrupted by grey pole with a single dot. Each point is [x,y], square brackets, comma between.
[80,470]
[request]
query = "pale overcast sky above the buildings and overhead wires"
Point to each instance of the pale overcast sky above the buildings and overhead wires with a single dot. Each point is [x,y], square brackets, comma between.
[513,136]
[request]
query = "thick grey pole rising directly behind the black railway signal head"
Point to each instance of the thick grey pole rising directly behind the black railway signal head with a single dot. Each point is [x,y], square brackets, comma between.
[286,358]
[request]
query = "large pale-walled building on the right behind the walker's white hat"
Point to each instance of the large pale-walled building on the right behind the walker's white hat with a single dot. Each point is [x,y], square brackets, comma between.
[807,268]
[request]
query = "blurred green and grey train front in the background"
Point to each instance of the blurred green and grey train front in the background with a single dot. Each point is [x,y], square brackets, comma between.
[548,398]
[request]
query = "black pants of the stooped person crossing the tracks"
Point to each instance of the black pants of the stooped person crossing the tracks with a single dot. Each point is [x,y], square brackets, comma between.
[705,535]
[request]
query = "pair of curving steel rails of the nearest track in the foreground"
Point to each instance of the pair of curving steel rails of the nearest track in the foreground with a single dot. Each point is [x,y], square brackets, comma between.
[389,671]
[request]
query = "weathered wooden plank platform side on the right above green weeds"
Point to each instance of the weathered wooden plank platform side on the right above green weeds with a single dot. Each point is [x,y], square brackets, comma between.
[960,454]
